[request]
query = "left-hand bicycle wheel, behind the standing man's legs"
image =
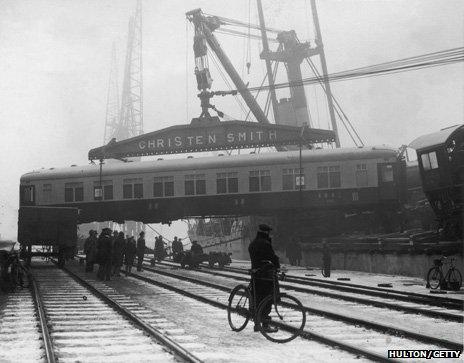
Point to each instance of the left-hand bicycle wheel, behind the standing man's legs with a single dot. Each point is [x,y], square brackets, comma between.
[238,310]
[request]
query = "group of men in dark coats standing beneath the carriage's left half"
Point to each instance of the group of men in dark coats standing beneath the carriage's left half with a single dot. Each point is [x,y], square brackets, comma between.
[111,250]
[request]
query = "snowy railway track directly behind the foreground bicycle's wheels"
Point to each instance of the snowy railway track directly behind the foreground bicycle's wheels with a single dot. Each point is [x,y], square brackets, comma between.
[352,335]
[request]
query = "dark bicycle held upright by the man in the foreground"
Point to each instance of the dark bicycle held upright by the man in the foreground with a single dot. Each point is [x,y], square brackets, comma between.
[287,316]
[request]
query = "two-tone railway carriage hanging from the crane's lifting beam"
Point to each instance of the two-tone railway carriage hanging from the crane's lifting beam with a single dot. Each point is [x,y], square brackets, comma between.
[342,180]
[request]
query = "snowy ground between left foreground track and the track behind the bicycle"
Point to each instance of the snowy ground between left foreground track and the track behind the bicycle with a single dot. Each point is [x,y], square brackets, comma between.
[209,325]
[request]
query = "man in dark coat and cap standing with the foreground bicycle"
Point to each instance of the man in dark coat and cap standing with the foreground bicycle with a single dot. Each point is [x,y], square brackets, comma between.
[261,252]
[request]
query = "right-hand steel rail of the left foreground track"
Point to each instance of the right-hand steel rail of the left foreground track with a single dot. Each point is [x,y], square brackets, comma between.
[157,335]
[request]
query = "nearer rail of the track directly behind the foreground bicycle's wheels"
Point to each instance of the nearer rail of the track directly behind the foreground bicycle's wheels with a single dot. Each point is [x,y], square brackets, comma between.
[305,334]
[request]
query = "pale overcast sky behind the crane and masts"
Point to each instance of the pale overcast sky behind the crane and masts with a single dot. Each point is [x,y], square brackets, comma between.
[55,58]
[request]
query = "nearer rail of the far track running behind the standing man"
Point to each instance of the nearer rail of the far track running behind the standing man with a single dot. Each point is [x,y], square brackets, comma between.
[397,307]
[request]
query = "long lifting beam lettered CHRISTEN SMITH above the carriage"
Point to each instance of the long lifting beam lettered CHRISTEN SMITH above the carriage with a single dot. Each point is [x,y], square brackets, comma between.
[211,136]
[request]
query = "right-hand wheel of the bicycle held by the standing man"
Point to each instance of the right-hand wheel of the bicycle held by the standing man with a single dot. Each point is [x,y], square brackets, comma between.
[287,316]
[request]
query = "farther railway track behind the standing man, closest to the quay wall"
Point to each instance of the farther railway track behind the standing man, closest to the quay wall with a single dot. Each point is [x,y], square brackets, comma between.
[442,308]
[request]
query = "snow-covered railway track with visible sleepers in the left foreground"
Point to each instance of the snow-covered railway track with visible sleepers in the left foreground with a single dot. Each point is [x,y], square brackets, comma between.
[84,322]
